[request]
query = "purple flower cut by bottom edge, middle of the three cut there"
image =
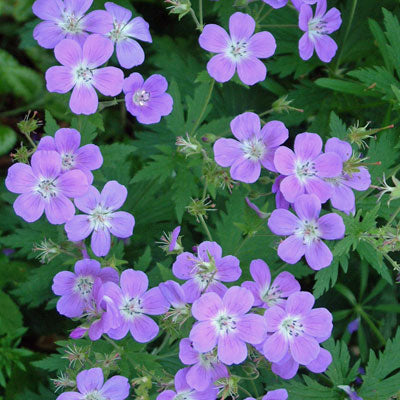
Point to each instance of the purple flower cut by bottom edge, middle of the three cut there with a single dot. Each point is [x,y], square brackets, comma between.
[184,391]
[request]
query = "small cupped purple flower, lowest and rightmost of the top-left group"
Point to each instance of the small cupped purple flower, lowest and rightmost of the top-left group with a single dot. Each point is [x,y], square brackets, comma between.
[147,100]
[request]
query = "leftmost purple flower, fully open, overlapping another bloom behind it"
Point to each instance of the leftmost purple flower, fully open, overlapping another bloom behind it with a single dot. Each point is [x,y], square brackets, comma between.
[42,187]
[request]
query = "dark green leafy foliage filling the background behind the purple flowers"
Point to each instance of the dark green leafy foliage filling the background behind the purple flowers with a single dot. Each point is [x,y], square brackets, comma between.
[360,85]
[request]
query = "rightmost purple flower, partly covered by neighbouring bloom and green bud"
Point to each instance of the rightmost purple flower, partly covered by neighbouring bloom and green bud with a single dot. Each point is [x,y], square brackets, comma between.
[342,196]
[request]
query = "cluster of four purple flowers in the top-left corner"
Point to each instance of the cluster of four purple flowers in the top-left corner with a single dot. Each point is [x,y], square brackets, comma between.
[83,43]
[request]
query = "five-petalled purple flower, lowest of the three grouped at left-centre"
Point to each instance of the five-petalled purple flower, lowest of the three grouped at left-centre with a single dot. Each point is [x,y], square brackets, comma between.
[101,218]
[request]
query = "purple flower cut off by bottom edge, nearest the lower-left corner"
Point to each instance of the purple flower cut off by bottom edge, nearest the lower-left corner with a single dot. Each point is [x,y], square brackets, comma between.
[90,384]
